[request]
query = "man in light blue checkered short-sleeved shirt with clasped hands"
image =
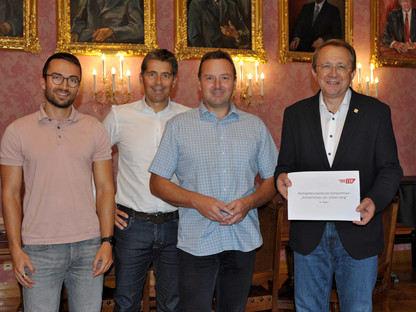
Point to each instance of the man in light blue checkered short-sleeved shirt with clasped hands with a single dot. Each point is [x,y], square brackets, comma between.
[216,151]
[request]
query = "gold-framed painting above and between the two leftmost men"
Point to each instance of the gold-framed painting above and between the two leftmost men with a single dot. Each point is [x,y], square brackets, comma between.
[77,35]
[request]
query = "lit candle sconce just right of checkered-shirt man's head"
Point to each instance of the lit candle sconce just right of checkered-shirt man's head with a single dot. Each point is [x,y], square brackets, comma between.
[249,93]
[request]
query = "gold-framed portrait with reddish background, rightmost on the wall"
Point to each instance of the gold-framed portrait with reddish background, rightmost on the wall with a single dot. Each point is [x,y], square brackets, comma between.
[393,39]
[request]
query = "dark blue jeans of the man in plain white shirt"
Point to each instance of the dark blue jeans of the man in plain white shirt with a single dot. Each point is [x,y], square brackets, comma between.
[136,247]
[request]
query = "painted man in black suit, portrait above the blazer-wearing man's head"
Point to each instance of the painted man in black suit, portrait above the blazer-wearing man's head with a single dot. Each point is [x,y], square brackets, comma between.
[317,22]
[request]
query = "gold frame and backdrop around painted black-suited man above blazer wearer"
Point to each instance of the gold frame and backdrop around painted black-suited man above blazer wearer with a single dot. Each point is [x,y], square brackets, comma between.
[290,12]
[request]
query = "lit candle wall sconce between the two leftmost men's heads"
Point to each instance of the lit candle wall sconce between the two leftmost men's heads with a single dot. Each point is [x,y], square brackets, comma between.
[114,90]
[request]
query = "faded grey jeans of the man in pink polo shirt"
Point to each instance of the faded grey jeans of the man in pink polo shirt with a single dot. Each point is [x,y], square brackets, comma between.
[70,264]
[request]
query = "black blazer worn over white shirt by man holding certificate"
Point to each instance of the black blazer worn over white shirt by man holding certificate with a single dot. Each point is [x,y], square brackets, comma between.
[367,144]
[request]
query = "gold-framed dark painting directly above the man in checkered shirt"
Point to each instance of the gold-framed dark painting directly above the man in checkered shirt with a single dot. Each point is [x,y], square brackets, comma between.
[244,19]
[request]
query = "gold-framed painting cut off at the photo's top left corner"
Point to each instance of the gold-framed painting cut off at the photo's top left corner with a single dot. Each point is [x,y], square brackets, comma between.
[22,26]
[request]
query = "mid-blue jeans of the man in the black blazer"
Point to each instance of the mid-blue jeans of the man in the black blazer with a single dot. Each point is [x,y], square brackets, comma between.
[355,279]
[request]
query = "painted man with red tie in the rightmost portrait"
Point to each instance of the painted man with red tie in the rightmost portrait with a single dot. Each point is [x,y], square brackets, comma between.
[400,30]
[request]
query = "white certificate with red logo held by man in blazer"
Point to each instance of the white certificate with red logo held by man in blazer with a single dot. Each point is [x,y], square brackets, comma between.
[324,195]
